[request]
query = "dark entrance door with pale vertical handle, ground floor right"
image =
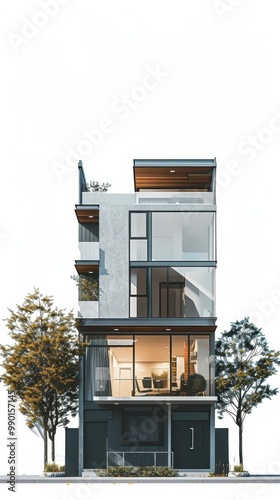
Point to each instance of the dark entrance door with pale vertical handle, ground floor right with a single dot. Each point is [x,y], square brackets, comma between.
[191,444]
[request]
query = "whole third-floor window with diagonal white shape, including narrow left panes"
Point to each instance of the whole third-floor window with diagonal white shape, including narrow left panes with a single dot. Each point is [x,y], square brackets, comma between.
[172,292]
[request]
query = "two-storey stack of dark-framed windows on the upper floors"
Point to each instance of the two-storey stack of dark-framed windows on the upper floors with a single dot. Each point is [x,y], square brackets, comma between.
[159,290]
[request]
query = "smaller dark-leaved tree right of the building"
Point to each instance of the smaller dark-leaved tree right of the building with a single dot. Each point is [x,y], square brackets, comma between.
[244,362]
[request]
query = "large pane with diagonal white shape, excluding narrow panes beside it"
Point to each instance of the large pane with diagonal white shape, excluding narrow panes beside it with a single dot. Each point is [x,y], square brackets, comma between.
[182,292]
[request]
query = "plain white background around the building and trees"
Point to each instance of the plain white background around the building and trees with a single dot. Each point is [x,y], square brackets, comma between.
[70,68]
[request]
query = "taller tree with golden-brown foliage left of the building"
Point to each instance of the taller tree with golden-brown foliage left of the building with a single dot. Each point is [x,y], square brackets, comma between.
[42,364]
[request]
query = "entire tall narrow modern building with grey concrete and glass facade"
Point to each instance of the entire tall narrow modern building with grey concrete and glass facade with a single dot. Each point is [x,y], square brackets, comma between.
[147,312]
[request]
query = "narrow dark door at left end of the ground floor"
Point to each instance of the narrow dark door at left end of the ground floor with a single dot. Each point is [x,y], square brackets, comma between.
[95,439]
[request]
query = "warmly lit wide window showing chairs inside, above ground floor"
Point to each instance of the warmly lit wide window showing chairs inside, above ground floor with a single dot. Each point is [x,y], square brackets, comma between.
[147,365]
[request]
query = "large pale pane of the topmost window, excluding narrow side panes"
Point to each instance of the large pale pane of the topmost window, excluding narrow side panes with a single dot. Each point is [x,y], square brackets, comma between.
[186,236]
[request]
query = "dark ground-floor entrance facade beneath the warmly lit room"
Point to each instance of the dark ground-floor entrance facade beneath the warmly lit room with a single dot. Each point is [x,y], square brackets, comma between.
[148,435]
